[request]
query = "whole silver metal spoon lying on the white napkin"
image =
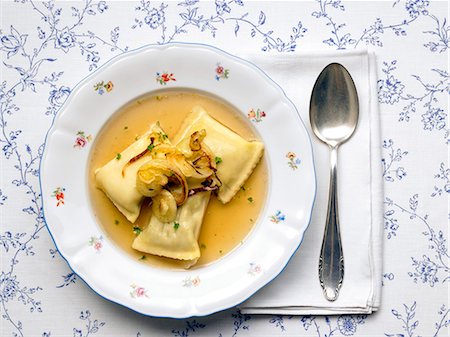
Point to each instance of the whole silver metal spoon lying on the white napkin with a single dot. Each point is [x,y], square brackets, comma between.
[333,114]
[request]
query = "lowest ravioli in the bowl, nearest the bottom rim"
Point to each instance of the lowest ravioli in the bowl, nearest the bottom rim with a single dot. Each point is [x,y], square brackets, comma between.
[177,239]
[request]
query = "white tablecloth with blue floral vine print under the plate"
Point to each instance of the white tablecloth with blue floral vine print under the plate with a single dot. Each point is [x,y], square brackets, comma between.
[47,47]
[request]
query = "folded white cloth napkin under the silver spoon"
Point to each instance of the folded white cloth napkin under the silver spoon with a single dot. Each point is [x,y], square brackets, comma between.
[297,291]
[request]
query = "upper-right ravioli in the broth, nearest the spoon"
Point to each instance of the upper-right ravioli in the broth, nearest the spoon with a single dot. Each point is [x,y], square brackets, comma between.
[238,157]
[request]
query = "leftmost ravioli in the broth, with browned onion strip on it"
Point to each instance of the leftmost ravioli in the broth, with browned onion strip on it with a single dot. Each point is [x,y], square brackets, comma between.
[117,179]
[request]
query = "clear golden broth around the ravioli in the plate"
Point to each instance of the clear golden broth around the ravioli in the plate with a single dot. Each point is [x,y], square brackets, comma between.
[224,226]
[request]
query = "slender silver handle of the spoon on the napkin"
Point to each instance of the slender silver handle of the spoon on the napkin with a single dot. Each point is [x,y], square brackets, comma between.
[331,261]
